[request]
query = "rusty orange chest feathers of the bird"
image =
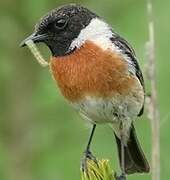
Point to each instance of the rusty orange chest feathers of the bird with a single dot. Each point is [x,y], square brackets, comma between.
[91,71]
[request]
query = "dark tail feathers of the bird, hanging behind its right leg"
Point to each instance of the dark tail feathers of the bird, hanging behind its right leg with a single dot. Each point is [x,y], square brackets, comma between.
[135,160]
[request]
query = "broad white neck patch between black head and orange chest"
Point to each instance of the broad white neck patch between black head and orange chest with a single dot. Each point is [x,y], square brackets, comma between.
[98,32]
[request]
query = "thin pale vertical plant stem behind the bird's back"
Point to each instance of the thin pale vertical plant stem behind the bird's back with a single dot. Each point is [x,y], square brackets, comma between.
[153,104]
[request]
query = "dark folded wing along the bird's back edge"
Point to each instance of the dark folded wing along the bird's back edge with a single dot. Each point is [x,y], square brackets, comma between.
[128,50]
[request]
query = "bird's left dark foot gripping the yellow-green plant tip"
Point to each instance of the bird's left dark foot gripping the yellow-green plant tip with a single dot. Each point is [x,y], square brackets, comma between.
[87,156]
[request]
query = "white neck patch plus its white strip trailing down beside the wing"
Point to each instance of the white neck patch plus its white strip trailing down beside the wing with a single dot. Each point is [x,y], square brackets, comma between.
[100,33]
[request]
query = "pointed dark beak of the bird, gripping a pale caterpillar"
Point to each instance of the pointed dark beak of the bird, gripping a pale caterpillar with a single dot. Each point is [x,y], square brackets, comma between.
[35,38]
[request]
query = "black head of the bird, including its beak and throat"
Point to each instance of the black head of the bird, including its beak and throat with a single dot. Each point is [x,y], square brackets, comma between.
[60,27]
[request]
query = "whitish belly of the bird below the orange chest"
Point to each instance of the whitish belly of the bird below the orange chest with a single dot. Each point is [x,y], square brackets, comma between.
[109,110]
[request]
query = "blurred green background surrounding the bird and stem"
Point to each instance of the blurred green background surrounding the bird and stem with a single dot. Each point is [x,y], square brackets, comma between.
[41,137]
